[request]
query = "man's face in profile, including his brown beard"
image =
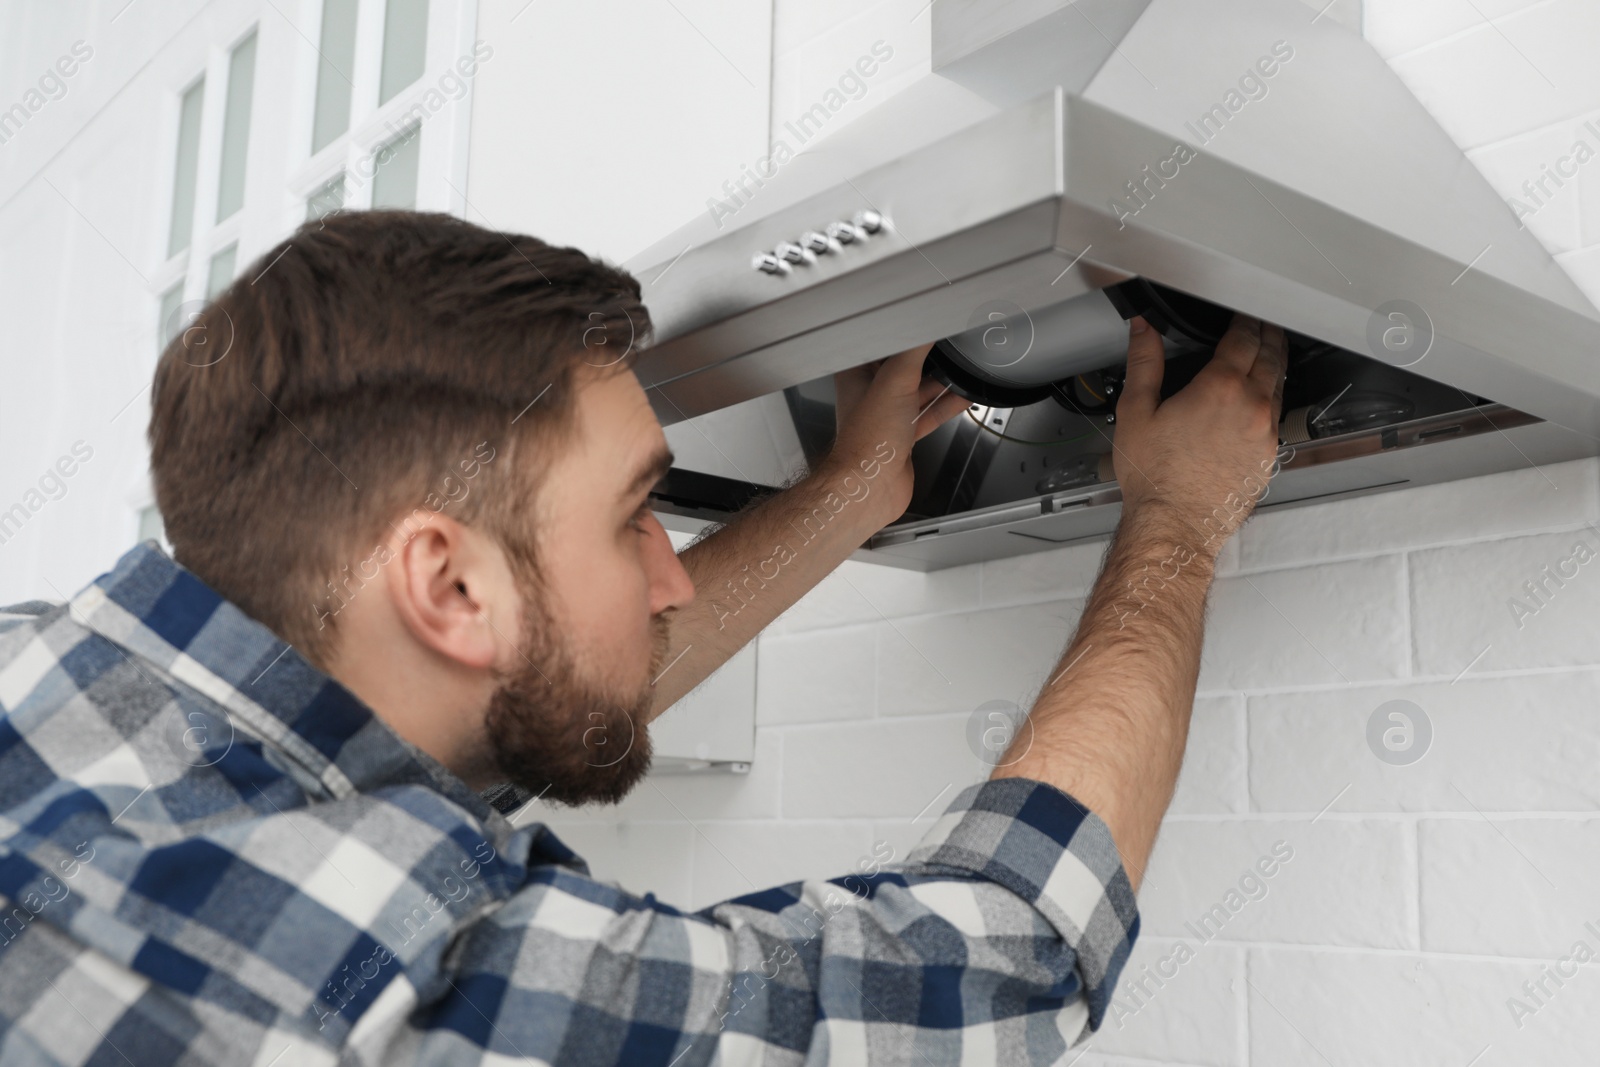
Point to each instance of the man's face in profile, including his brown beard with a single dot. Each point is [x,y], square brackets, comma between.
[569,722]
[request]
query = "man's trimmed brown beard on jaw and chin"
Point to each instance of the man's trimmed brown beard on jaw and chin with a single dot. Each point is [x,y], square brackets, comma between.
[558,732]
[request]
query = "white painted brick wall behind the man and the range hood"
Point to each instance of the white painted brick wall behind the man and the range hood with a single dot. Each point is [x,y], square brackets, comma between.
[1420,898]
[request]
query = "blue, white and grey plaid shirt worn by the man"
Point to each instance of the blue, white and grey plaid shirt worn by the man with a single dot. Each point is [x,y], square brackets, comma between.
[212,853]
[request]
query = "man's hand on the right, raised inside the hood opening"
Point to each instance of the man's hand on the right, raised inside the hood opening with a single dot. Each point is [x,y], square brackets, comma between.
[1194,455]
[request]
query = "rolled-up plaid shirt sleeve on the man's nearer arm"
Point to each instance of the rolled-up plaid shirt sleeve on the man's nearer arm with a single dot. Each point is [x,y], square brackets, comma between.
[999,940]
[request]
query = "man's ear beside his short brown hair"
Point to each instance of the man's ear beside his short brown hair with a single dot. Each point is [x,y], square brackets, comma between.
[452,589]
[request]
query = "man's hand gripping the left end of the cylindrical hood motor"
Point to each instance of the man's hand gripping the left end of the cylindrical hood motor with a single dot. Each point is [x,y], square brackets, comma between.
[889,402]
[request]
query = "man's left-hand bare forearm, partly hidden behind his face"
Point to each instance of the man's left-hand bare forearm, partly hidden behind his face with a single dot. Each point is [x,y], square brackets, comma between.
[753,570]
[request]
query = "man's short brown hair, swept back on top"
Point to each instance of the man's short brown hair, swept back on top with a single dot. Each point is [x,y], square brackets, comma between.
[348,377]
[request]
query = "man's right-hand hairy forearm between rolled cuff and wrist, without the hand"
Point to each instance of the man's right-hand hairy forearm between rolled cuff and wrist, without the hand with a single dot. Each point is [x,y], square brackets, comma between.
[1111,725]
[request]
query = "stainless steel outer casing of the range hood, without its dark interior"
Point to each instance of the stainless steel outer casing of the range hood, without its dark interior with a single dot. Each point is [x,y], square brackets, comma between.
[1247,153]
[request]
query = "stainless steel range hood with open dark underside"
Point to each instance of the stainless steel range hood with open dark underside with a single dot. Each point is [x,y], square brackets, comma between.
[1148,156]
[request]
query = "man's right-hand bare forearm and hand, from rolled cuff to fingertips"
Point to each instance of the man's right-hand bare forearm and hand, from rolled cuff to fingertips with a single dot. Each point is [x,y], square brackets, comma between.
[1111,725]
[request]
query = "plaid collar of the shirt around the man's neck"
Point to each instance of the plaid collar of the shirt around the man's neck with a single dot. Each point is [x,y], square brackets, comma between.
[175,626]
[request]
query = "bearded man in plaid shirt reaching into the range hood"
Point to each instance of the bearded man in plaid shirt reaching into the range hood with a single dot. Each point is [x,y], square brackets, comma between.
[406,479]
